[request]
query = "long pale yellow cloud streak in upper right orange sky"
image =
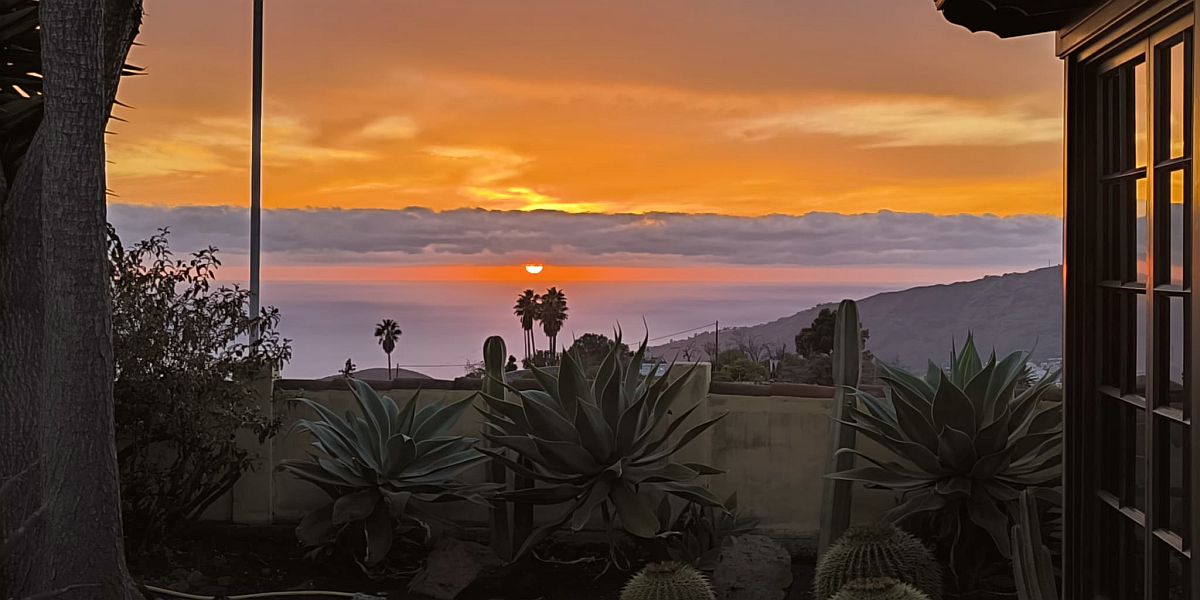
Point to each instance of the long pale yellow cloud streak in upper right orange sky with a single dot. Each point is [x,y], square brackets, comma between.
[909,123]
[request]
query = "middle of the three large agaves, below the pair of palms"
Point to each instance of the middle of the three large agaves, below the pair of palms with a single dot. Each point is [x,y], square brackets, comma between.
[607,446]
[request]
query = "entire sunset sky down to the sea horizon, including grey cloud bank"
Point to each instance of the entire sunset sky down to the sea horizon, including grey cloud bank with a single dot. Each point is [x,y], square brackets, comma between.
[736,142]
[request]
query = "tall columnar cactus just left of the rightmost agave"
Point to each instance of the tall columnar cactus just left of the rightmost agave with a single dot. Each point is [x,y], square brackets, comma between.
[848,356]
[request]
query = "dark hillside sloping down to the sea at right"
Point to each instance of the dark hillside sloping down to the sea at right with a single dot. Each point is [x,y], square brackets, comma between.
[1010,313]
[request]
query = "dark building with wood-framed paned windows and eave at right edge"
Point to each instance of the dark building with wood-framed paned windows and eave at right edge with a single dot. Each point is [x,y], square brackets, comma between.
[1130,319]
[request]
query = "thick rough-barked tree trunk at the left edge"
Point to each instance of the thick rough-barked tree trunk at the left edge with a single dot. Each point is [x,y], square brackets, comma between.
[56,334]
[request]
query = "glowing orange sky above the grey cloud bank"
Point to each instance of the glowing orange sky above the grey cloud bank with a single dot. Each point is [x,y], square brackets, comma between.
[739,107]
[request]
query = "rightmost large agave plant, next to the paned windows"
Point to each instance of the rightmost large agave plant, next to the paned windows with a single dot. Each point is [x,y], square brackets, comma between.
[971,439]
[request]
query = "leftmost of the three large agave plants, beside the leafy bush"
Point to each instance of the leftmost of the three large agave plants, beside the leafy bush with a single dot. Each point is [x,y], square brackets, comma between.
[382,467]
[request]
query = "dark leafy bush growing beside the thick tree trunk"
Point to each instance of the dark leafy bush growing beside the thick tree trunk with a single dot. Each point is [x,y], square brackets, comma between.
[182,365]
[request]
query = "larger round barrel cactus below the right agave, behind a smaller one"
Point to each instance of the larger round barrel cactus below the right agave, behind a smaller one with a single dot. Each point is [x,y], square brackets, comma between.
[885,551]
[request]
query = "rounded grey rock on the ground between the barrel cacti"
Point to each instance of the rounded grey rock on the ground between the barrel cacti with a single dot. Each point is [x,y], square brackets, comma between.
[753,568]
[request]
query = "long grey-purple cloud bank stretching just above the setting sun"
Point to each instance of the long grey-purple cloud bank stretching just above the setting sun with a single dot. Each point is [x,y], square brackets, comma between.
[418,236]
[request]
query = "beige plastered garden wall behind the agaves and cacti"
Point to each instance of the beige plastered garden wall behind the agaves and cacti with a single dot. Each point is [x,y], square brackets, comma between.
[773,446]
